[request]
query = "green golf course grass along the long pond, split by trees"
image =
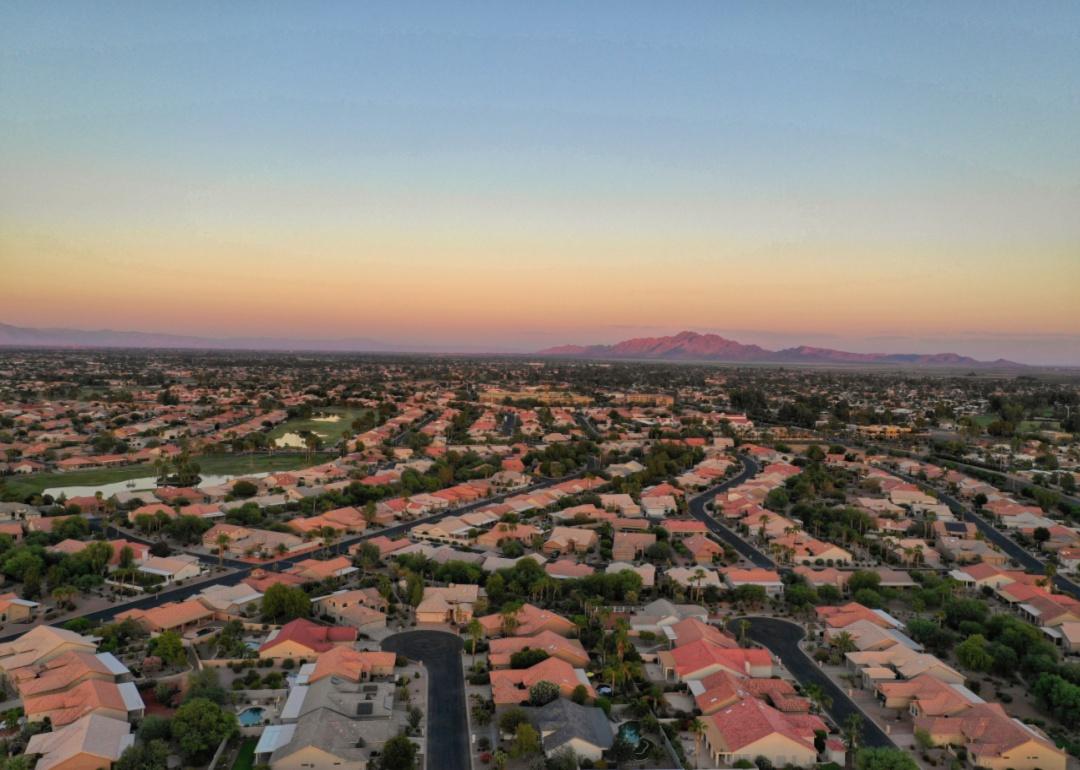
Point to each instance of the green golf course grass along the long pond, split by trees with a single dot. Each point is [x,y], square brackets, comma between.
[20,489]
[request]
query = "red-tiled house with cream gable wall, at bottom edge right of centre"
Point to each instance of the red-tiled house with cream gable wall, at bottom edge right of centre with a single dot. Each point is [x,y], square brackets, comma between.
[751,728]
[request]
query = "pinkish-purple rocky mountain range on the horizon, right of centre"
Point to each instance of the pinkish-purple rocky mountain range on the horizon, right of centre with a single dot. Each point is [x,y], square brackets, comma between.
[691,346]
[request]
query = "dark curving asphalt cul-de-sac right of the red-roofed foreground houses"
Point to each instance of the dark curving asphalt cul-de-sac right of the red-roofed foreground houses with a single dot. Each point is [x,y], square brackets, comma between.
[781,638]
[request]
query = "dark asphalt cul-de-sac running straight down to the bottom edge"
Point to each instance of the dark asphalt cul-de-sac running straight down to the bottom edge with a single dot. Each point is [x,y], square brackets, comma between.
[448,727]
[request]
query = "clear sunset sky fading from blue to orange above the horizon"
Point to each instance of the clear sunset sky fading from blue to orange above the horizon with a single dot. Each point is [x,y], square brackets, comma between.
[874,177]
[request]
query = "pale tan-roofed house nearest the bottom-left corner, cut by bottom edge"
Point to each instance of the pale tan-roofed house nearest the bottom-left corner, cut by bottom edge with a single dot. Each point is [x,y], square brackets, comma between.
[94,741]
